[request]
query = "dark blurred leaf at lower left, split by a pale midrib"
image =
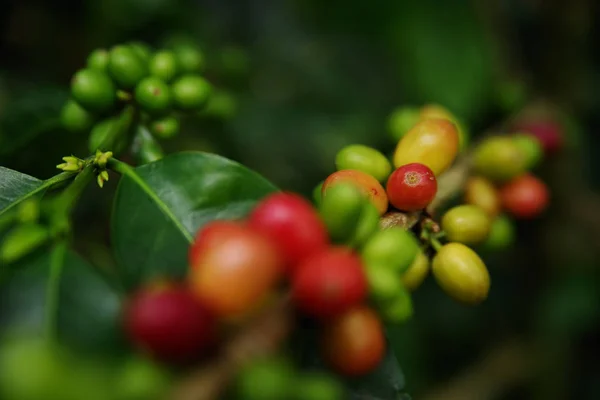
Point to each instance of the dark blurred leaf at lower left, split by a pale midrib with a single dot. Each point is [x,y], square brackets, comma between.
[87,306]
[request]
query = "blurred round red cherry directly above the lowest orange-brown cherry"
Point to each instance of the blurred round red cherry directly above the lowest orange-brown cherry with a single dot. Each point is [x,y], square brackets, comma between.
[329,282]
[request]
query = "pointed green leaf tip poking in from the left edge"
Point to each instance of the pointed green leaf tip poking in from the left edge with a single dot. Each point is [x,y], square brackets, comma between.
[16,187]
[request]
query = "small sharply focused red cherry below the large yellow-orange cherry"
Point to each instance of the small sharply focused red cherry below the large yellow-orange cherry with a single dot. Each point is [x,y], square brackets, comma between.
[411,187]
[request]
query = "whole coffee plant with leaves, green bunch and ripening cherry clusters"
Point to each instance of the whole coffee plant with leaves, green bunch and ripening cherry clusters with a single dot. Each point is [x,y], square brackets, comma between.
[228,287]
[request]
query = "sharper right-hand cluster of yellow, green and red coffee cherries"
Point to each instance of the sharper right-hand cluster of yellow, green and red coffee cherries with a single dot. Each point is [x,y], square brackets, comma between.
[429,139]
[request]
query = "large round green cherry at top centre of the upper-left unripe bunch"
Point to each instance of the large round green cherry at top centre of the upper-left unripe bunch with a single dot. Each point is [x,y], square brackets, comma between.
[126,67]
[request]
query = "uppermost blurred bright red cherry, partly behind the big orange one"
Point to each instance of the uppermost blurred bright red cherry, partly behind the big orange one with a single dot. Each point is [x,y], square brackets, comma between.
[292,224]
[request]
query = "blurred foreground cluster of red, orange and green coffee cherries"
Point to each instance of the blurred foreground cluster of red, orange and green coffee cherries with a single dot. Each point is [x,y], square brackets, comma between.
[337,272]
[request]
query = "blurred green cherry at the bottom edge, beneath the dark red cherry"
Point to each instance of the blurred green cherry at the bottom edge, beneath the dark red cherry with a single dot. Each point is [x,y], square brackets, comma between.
[141,379]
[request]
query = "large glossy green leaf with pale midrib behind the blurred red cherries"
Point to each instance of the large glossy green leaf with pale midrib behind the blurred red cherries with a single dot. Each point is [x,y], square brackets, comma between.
[160,206]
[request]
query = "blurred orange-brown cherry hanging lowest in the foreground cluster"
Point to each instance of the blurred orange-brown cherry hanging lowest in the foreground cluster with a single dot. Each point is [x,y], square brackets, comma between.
[353,343]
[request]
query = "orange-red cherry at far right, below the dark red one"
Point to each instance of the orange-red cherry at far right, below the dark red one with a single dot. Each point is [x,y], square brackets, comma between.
[525,197]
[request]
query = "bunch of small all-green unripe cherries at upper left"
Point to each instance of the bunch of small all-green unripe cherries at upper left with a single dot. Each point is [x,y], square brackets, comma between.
[159,83]
